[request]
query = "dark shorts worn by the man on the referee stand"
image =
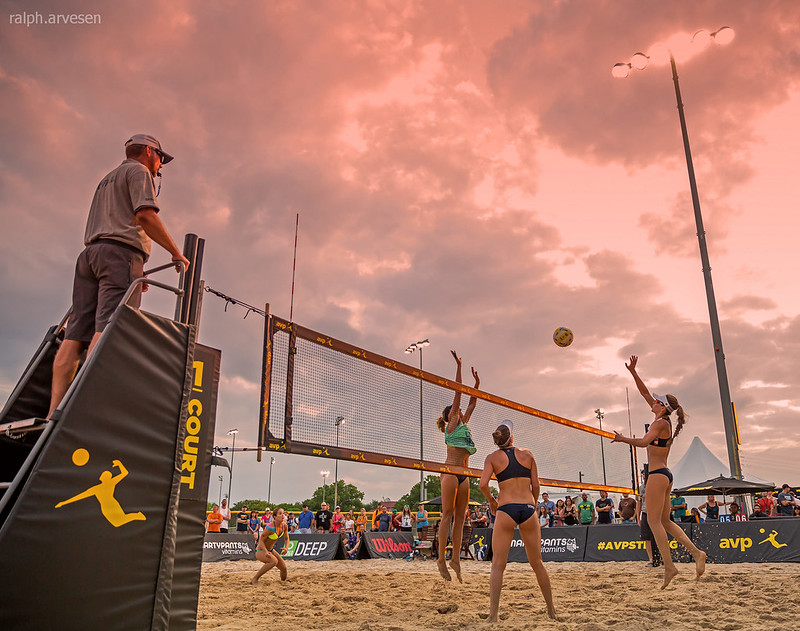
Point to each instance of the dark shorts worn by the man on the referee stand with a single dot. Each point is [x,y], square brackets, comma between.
[103,273]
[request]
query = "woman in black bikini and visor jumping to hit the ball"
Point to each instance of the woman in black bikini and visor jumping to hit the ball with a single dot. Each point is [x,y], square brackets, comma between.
[658,487]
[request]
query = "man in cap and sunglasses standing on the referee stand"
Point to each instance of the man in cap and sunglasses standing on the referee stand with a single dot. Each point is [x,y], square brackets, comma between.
[123,218]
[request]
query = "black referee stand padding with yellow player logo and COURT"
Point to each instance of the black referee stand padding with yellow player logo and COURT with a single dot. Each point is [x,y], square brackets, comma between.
[102,525]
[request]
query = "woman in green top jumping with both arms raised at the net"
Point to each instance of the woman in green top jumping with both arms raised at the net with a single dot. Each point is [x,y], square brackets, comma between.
[455,488]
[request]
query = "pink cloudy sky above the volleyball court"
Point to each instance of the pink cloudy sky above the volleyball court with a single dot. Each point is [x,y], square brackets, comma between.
[465,171]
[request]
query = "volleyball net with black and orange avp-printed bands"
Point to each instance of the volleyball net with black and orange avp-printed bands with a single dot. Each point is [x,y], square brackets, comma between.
[324,397]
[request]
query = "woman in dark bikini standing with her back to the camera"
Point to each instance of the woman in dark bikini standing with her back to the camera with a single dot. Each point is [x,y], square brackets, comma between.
[515,507]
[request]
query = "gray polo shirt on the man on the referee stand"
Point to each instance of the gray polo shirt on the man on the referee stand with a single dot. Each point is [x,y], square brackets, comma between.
[121,193]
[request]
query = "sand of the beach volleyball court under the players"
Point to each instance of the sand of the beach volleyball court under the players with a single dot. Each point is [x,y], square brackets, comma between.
[397,595]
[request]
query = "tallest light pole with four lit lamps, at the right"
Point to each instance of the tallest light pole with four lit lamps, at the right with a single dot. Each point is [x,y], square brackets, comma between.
[639,61]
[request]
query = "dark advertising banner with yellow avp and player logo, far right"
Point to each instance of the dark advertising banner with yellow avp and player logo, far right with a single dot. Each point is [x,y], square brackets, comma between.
[757,541]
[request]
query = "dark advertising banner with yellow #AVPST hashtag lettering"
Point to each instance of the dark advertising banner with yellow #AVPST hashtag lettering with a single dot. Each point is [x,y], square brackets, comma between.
[622,542]
